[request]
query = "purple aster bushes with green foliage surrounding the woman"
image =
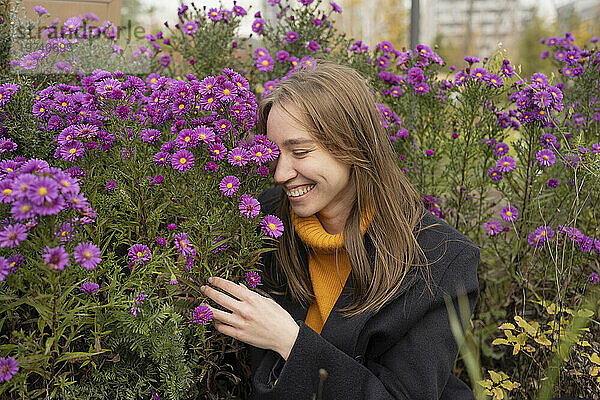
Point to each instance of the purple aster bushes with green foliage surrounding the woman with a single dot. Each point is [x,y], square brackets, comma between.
[102,287]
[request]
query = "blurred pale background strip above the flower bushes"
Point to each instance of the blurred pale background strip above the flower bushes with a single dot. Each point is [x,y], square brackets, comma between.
[456,27]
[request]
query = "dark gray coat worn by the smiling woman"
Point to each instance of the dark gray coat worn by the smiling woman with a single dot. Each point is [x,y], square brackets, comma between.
[404,351]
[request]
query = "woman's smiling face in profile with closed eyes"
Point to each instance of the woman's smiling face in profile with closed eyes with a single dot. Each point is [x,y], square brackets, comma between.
[314,181]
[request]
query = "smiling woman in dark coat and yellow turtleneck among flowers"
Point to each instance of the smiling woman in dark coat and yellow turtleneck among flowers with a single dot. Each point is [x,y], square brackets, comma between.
[361,275]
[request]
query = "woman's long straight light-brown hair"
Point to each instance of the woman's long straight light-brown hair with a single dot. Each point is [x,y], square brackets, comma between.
[337,108]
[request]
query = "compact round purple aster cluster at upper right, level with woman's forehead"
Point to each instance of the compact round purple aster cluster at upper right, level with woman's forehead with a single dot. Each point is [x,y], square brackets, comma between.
[537,100]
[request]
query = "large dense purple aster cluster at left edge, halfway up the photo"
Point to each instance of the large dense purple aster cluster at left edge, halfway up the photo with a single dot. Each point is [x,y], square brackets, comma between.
[32,189]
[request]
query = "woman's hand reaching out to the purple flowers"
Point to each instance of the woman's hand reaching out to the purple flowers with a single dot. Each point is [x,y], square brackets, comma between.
[254,319]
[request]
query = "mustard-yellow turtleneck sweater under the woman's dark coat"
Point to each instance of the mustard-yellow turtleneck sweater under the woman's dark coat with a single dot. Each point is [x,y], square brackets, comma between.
[328,270]
